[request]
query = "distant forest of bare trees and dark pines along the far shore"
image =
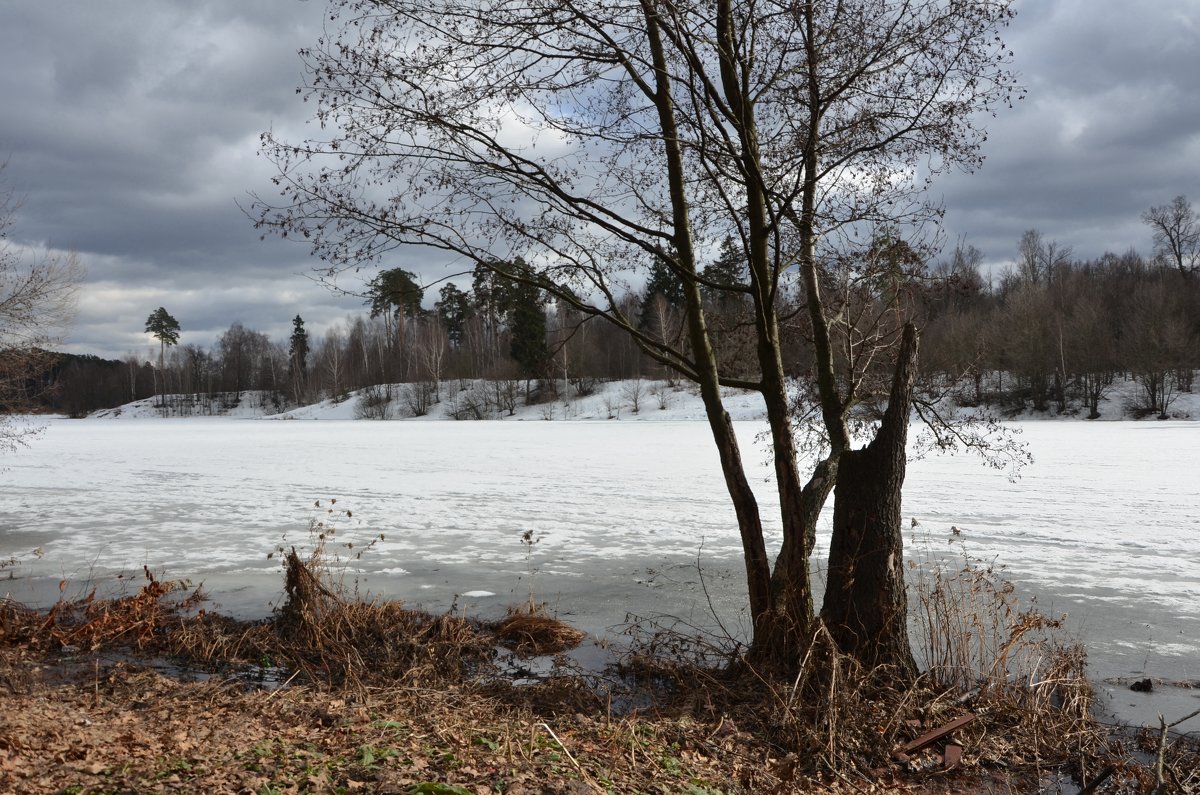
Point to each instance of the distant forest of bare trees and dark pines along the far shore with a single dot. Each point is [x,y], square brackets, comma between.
[1052,334]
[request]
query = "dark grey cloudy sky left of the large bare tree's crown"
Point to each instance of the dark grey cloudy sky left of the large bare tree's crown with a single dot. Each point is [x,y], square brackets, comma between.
[131,130]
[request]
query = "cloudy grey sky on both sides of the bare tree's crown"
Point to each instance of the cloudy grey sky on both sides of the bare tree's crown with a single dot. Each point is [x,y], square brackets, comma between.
[131,129]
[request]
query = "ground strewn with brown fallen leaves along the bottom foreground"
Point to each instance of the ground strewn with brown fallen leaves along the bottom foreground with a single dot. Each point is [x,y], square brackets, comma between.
[123,728]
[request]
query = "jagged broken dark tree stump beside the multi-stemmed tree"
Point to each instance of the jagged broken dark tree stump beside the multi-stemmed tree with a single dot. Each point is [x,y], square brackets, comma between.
[866,606]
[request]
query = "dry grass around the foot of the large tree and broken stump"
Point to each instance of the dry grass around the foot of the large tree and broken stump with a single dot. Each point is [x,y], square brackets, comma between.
[1009,668]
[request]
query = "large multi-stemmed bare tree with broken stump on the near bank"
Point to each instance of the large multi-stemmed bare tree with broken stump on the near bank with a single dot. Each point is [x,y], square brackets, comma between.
[587,138]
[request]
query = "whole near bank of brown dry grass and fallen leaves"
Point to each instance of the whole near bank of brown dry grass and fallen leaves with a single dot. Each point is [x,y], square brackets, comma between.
[387,698]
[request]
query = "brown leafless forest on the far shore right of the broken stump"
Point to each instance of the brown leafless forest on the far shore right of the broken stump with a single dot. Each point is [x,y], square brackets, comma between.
[1058,334]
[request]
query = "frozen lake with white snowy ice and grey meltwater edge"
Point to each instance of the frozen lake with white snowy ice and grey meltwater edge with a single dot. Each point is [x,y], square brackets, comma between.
[1105,525]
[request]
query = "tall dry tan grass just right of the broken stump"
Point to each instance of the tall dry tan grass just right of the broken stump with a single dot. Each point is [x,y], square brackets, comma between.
[988,653]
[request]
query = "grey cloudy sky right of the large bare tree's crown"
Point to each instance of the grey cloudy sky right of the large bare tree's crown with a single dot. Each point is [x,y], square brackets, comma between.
[1111,127]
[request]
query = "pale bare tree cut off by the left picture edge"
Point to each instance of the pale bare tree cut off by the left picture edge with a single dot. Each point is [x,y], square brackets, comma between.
[38,303]
